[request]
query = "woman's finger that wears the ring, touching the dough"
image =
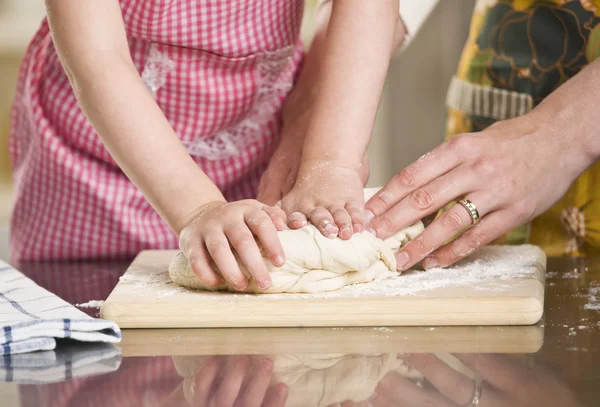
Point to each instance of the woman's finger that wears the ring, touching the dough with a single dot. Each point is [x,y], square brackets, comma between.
[439,232]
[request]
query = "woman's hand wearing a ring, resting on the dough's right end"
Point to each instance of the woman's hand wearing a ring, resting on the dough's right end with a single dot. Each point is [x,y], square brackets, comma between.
[512,171]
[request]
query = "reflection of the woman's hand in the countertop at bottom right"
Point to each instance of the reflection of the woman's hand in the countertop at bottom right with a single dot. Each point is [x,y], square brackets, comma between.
[506,382]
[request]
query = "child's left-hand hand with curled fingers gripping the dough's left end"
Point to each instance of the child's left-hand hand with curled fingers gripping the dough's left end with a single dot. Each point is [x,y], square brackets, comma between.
[221,227]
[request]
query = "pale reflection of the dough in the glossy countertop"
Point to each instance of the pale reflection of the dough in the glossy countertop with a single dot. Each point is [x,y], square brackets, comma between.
[318,380]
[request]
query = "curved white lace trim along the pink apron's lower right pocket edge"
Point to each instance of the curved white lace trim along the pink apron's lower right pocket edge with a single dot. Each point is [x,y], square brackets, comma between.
[273,83]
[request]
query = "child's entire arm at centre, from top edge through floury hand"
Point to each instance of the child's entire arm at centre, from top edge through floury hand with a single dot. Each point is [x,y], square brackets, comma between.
[360,40]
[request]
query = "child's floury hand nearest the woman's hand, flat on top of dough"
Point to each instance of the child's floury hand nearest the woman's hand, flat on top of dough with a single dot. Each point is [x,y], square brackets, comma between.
[329,196]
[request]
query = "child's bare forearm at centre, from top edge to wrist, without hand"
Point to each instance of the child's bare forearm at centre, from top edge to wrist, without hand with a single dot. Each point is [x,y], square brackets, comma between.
[355,50]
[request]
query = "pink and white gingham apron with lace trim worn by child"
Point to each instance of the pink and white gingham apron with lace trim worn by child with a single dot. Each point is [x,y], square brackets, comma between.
[219,70]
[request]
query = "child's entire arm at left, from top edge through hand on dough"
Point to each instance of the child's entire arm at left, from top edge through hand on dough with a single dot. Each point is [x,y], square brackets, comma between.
[91,42]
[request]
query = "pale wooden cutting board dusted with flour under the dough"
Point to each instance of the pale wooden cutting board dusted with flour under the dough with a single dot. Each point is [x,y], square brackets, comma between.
[501,285]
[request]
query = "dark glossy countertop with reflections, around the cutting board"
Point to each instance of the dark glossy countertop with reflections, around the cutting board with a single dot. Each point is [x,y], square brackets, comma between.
[554,363]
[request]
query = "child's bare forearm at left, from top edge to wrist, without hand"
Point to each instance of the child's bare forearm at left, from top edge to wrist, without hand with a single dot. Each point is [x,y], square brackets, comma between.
[115,100]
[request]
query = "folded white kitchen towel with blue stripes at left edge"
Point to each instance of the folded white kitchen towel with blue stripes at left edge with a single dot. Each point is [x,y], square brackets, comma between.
[31,318]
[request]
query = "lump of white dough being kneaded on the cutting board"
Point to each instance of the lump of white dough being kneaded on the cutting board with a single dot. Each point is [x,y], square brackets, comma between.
[315,263]
